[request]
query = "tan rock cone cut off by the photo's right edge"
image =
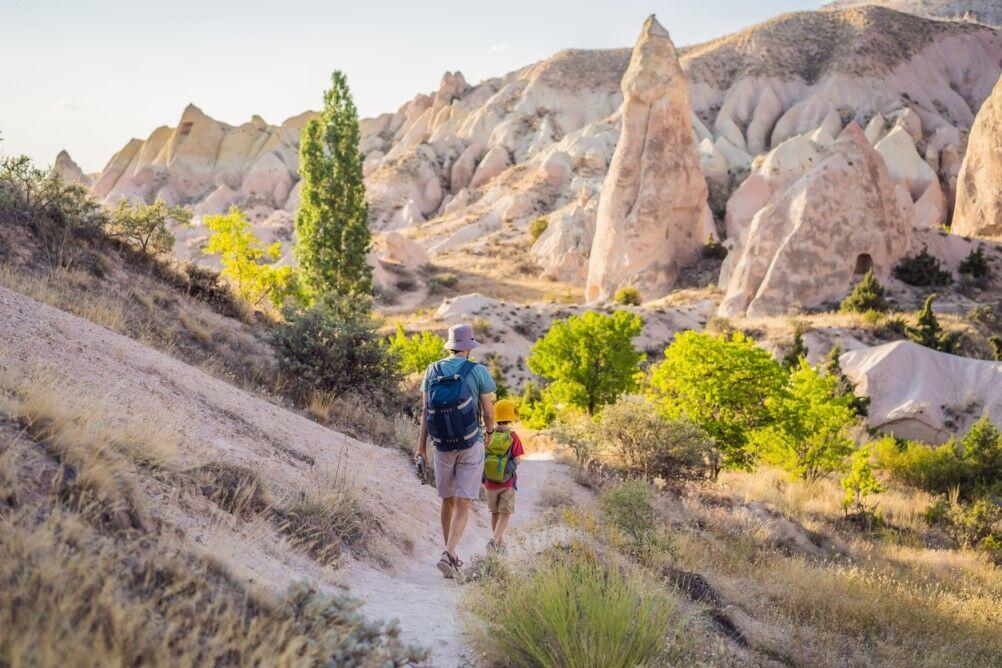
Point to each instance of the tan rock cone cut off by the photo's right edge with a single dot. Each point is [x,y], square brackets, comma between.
[979,186]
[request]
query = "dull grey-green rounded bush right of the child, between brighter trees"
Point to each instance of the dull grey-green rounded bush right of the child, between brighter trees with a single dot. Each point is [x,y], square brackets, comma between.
[637,439]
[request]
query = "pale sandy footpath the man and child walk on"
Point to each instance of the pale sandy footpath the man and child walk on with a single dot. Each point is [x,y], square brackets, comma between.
[426,604]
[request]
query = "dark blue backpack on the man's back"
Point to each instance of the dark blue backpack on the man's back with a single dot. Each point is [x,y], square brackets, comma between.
[452,412]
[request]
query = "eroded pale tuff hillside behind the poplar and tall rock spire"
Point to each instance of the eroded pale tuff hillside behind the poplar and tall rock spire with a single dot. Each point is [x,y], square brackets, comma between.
[470,166]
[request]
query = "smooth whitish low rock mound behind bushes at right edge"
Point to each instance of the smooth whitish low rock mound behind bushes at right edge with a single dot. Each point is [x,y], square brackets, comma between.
[917,393]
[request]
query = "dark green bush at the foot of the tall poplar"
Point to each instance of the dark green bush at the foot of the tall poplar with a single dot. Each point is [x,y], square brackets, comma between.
[334,347]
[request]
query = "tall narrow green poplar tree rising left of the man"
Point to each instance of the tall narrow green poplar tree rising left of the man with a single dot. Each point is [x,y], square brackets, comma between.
[333,222]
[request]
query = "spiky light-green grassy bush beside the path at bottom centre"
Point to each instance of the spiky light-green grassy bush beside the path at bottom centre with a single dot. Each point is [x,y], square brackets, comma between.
[574,611]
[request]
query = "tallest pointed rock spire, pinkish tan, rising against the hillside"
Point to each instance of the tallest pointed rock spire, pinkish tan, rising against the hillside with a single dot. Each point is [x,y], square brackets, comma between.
[652,215]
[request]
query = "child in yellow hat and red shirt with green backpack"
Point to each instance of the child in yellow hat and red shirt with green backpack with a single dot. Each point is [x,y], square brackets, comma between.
[504,453]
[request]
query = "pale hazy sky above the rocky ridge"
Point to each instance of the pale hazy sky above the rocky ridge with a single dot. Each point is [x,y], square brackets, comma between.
[88,77]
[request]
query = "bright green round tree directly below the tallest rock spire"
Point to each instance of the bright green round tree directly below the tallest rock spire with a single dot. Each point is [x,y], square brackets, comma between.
[590,359]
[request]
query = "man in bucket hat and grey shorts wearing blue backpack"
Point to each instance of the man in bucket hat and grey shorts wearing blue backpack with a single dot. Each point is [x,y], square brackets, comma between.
[458,396]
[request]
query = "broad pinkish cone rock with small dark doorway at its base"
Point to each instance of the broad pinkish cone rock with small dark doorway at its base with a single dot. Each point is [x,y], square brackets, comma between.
[810,243]
